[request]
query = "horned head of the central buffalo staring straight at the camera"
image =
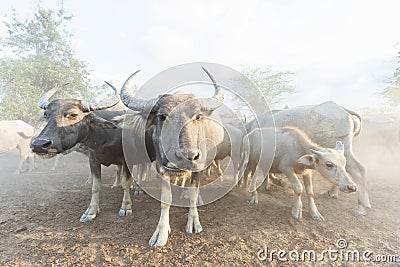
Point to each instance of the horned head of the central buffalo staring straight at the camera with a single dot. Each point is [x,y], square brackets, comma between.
[180,120]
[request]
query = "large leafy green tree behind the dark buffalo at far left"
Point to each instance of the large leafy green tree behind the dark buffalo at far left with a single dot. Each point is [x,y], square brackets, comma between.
[37,57]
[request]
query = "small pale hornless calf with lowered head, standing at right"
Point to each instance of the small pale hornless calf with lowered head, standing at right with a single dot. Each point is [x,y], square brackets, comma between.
[289,151]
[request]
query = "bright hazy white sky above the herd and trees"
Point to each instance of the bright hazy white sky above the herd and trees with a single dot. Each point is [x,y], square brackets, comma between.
[339,50]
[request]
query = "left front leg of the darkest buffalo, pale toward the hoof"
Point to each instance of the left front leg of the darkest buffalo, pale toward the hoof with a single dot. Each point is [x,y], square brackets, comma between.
[93,210]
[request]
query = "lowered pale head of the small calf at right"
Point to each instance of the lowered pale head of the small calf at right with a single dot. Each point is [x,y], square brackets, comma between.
[331,164]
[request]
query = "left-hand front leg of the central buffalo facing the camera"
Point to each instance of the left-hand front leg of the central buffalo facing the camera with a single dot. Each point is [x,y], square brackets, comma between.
[160,235]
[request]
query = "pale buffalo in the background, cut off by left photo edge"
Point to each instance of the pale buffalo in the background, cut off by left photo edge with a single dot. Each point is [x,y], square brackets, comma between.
[17,134]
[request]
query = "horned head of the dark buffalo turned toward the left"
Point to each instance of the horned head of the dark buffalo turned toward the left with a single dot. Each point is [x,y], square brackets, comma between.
[68,123]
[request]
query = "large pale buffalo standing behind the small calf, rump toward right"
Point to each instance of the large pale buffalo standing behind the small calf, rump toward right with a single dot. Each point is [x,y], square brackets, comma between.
[325,124]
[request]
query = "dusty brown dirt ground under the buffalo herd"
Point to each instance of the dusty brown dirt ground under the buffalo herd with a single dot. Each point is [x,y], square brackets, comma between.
[40,211]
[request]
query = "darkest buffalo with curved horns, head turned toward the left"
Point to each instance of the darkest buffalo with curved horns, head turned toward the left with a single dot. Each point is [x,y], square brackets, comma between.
[72,121]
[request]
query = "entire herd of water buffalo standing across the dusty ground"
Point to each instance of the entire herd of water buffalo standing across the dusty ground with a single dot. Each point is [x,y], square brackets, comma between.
[182,136]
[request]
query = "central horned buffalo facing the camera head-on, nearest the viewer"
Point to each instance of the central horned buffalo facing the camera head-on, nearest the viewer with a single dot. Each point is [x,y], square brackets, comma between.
[182,123]
